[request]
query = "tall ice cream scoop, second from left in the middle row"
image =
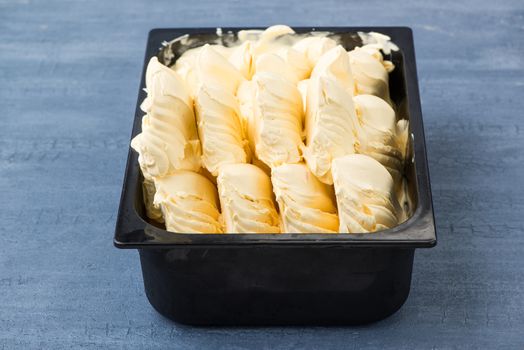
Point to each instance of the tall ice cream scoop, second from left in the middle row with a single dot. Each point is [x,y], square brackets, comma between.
[217,111]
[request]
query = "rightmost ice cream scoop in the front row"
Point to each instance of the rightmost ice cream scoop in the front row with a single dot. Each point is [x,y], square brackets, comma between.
[365,194]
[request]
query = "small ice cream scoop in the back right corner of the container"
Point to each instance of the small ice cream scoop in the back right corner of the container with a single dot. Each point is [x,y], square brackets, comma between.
[370,72]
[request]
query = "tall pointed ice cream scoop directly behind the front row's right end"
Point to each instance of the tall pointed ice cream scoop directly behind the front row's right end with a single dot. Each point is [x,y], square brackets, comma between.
[330,113]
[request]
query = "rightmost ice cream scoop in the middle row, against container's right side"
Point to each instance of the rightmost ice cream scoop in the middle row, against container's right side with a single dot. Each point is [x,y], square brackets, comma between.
[377,133]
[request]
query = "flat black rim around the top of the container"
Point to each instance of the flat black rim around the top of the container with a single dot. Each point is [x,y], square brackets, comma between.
[132,231]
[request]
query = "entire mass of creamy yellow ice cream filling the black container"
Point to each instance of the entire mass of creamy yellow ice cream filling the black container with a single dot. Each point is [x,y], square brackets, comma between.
[298,134]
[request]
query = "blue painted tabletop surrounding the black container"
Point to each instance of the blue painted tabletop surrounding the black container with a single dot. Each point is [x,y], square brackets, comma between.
[69,75]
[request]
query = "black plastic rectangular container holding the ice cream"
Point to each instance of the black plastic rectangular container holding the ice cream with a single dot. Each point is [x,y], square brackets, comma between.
[308,279]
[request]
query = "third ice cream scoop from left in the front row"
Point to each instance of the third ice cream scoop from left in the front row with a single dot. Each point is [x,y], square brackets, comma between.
[306,205]
